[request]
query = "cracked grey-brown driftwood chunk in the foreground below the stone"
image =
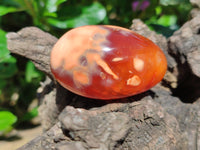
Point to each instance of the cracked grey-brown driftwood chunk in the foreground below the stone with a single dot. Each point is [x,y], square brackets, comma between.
[139,125]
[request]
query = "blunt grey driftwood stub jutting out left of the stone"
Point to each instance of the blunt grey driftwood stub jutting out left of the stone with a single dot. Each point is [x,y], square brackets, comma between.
[33,44]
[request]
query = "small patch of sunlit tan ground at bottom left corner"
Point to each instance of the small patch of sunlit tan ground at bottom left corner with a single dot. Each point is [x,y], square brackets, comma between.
[23,137]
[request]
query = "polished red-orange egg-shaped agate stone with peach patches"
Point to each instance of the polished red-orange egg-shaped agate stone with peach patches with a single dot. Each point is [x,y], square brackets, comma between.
[106,62]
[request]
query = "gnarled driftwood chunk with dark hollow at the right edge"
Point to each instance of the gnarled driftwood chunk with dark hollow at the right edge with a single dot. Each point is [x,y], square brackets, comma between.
[184,46]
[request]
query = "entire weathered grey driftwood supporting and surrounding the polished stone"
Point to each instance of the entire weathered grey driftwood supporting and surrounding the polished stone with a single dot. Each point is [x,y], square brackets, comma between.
[153,120]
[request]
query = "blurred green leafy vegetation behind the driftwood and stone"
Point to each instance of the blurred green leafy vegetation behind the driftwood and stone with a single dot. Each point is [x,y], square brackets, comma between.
[19,79]
